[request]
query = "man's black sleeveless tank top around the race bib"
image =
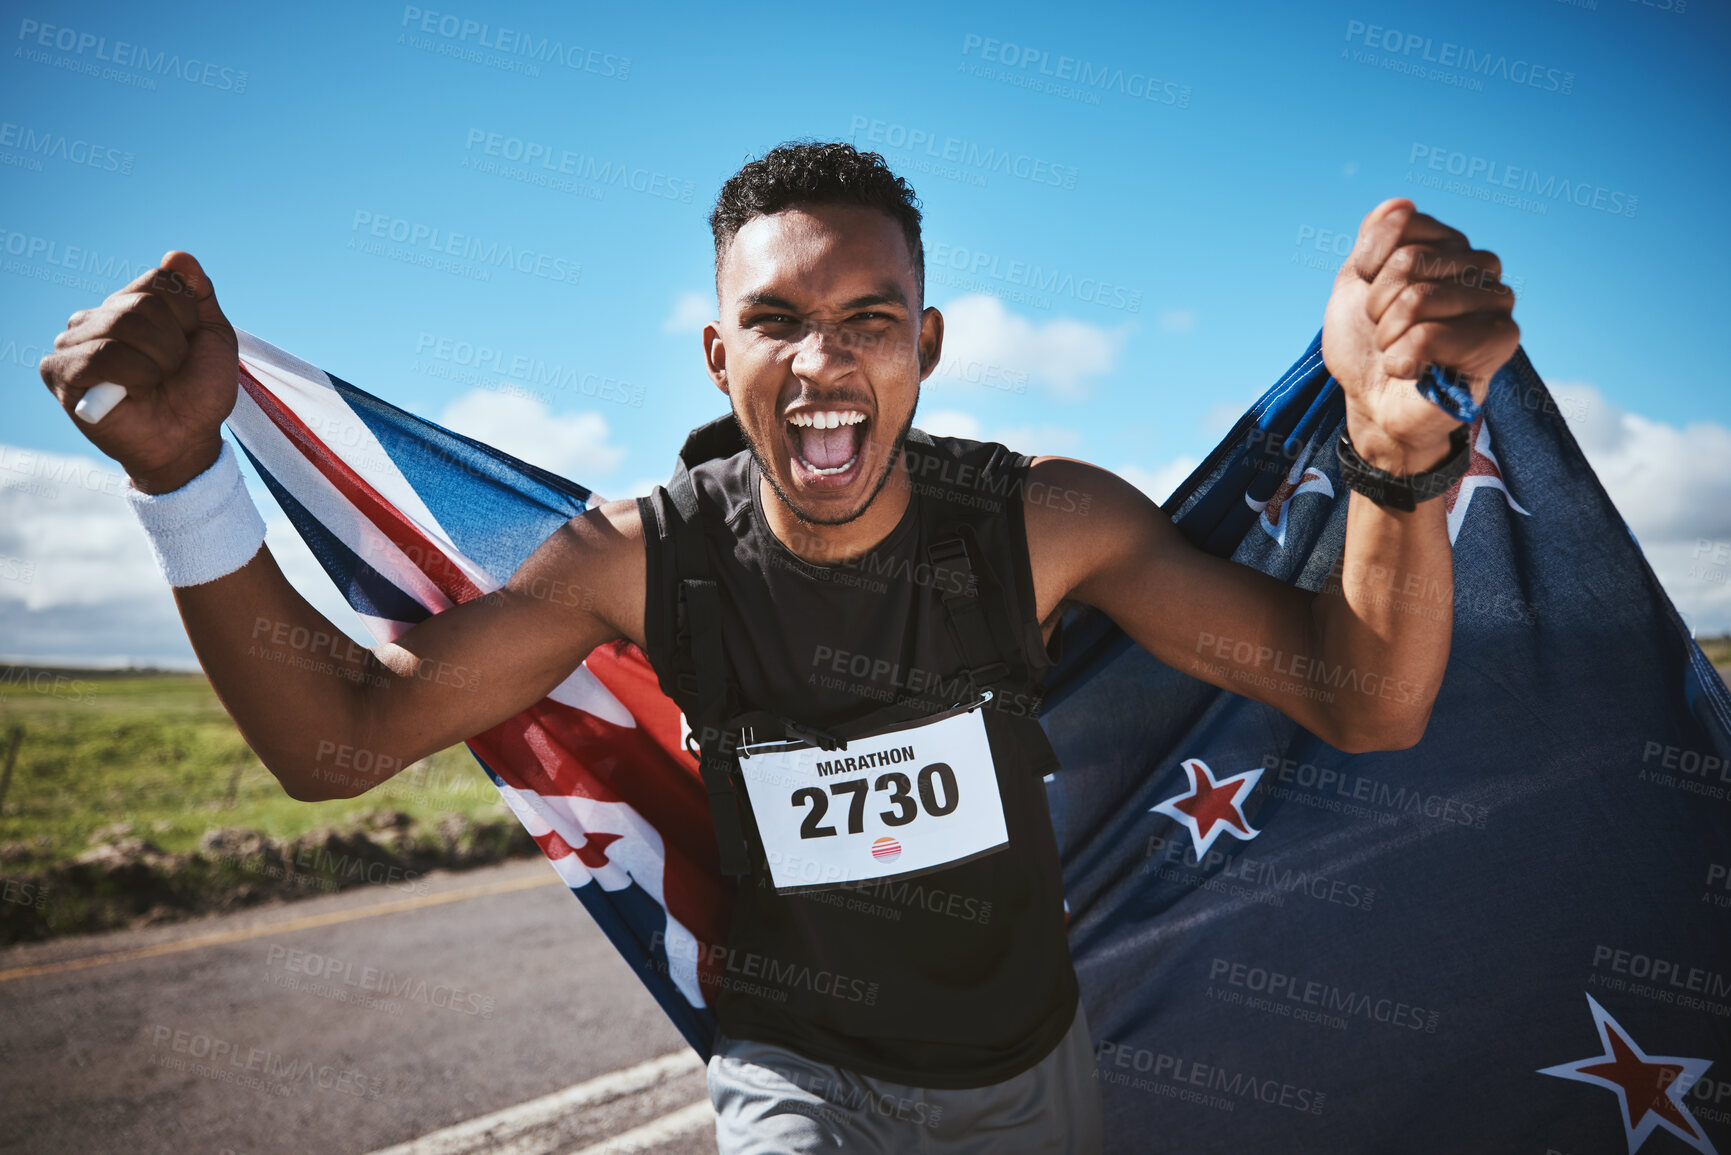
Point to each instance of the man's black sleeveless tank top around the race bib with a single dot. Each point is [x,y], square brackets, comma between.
[951,979]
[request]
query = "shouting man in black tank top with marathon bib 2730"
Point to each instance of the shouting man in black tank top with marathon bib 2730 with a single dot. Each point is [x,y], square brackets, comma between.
[856,619]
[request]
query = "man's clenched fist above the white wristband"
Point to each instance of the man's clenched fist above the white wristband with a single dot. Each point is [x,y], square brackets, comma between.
[165,339]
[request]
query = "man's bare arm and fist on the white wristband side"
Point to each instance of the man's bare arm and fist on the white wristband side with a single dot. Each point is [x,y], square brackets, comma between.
[312,706]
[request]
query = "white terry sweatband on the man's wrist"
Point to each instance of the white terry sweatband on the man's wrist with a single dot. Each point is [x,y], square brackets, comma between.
[205,529]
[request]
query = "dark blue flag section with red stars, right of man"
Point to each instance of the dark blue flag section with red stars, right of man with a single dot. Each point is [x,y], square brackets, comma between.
[1512,938]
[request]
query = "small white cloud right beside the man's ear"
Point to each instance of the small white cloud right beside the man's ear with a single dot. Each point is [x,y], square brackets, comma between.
[986,340]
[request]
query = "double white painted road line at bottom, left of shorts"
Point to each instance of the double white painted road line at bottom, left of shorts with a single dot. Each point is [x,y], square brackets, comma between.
[496,1133]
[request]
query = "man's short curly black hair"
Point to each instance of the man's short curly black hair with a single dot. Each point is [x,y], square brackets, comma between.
[816,172]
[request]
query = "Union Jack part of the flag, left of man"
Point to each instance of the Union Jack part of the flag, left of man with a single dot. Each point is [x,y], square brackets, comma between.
[409,520]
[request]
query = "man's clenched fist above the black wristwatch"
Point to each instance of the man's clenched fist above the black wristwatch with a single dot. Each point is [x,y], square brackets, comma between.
[1413,294]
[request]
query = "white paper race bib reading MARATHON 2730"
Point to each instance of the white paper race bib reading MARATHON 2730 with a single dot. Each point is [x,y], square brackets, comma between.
[903,803]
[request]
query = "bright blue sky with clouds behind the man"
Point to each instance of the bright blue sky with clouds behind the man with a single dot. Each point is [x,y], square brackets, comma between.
[1199,160]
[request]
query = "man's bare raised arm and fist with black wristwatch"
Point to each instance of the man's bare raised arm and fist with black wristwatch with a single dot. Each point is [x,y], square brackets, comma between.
[1351,664]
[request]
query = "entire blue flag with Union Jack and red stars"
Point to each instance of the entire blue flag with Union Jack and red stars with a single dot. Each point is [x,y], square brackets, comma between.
[1514,938]
